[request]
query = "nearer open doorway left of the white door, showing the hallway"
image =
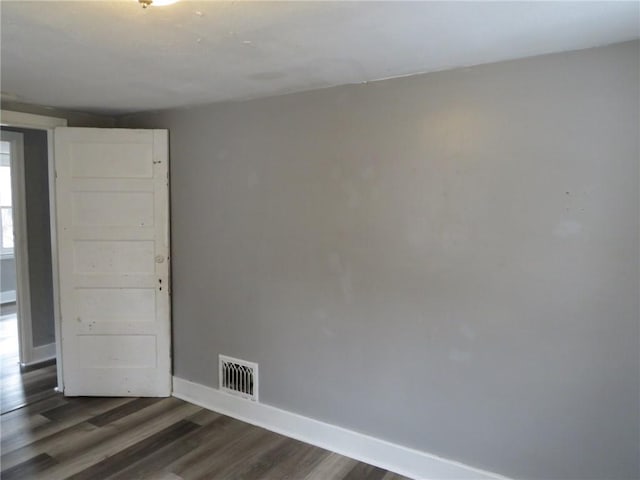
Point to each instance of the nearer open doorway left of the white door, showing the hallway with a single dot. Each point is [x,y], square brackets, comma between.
[27,324]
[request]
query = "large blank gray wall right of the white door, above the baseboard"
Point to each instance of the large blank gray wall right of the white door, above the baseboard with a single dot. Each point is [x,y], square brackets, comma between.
[446,261]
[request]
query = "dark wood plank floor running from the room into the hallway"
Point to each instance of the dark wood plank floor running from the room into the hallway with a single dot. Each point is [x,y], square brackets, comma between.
[53,437]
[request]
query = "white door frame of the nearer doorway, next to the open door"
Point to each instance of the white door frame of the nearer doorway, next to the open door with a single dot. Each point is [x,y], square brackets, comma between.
[40,122]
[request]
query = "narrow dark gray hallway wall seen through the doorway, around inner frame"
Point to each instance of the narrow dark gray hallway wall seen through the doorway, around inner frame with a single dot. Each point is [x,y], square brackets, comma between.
[38,233]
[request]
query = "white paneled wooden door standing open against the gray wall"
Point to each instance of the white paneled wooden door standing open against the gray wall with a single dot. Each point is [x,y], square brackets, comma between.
[113,247]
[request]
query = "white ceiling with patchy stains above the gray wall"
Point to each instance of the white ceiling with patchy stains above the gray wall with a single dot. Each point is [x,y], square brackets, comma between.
[115,57]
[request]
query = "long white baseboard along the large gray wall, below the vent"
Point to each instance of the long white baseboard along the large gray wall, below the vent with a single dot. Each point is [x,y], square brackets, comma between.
[396,458]
